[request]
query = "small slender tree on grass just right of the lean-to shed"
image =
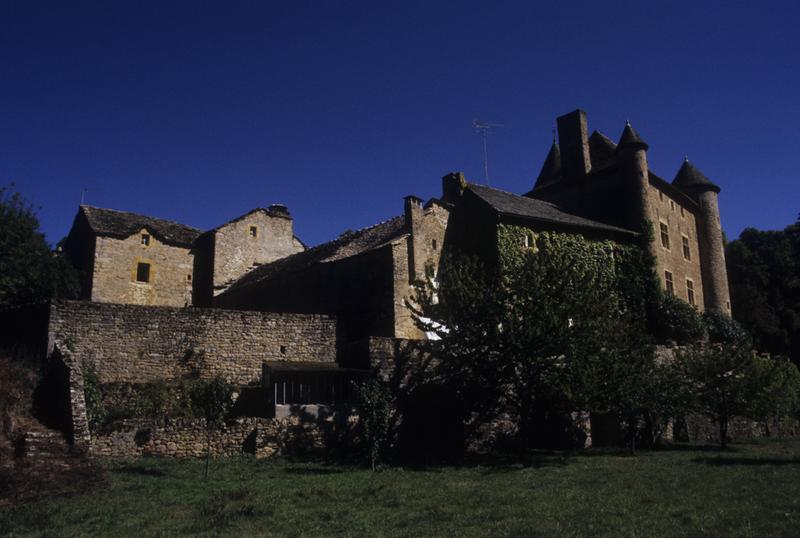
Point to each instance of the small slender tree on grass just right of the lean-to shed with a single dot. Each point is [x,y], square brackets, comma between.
[374,409]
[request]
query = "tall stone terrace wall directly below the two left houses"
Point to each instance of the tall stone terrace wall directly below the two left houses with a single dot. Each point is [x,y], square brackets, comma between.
[140,344]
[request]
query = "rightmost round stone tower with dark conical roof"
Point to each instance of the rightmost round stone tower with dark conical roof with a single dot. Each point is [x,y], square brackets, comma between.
[709,233]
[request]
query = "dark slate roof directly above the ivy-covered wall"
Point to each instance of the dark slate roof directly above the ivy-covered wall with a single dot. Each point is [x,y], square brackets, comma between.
[510,204]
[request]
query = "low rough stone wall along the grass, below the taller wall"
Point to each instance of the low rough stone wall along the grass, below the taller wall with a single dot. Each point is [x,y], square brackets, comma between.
[260,437]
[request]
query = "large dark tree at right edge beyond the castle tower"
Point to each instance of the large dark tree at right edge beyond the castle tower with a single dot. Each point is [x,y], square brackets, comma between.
[764,274]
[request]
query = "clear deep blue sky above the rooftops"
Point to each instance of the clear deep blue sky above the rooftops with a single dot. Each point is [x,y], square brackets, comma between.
[198,111]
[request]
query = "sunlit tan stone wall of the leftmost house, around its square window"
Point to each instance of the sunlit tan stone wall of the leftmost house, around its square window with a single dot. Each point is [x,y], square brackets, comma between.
[115,271]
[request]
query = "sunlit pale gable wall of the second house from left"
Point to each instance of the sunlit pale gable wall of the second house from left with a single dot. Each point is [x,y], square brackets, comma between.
[254,239]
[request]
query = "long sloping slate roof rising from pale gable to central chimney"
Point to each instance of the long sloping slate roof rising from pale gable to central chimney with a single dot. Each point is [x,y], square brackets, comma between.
[346,245]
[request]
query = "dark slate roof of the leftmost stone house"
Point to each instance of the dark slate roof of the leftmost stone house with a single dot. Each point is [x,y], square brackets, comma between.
[113,223]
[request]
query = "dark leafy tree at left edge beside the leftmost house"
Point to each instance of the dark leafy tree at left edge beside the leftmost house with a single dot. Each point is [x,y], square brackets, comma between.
[29,271]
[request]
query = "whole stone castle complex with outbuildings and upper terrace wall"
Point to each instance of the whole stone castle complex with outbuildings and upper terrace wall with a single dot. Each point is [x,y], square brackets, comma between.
[265,301]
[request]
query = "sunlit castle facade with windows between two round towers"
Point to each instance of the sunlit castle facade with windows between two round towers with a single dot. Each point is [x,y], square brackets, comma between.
[681,222]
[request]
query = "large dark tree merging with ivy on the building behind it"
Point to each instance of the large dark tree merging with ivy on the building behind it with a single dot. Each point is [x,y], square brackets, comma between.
[534,334]
